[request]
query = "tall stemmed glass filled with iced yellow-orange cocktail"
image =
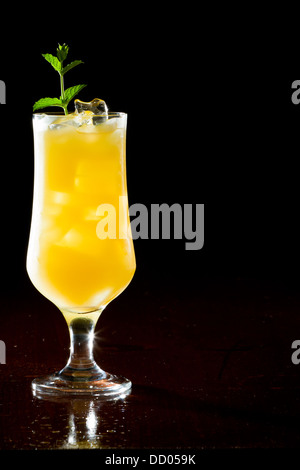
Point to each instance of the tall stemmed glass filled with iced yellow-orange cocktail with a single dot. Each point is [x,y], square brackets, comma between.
[78,170]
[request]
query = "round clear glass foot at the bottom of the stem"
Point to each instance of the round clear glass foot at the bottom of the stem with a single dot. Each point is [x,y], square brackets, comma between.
[106,386]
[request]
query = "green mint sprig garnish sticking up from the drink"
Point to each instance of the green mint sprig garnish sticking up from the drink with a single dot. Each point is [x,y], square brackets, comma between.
[66,95]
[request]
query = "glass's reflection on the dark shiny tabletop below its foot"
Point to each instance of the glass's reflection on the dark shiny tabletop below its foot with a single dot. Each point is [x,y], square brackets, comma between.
[81,423]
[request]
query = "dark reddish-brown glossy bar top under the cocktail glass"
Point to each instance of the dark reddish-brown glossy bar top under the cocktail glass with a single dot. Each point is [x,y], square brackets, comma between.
[210,364]
